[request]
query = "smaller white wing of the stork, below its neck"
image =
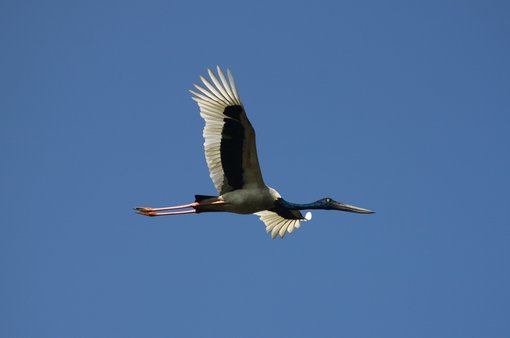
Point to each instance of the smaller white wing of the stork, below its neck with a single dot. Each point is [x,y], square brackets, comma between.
[279,222]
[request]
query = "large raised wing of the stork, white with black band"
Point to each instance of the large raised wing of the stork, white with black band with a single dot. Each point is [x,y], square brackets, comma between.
[230,148]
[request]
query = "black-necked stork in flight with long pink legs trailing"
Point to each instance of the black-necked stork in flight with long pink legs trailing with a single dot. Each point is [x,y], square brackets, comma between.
[231,155]
